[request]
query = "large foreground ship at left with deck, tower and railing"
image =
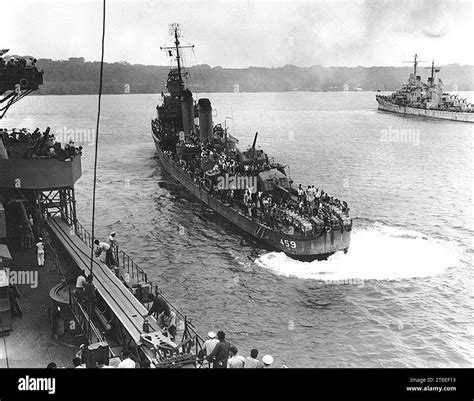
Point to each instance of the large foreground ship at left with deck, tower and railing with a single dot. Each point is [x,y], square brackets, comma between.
[41,300]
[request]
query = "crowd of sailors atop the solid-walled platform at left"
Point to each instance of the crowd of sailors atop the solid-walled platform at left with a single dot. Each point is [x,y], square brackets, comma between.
[39,145]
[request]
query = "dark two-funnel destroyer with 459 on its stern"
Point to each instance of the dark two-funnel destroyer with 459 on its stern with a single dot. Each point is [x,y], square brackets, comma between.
[242,184]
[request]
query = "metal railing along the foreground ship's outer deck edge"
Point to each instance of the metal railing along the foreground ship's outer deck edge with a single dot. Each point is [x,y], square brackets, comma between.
[190,335]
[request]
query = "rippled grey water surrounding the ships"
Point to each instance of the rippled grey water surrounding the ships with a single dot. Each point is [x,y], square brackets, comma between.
[402,296]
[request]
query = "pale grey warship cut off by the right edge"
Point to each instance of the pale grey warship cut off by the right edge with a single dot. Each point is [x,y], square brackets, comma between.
[426,99]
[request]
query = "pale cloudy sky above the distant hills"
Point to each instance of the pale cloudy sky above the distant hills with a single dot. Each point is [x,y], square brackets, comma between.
[243,33]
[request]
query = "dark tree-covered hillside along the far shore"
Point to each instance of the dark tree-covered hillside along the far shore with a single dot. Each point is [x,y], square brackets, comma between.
[76,76]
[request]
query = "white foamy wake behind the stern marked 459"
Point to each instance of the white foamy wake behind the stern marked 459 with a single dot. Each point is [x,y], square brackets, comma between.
[375,253]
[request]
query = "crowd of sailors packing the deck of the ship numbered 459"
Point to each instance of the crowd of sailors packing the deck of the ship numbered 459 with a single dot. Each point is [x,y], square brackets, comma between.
[271,208]
